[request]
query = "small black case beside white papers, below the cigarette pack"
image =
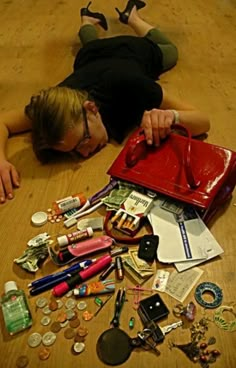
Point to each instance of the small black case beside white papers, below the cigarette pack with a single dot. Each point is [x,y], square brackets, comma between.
[148,247]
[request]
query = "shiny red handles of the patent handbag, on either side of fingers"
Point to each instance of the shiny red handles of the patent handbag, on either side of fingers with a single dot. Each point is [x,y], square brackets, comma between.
[138,147]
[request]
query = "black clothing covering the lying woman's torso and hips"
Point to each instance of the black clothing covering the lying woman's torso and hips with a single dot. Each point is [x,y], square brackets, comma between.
[119,73]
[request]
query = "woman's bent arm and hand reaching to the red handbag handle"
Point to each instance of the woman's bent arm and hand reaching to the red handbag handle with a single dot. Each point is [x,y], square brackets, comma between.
[157,122]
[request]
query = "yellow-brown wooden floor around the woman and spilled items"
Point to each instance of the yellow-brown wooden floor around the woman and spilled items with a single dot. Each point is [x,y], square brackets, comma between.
[38,42]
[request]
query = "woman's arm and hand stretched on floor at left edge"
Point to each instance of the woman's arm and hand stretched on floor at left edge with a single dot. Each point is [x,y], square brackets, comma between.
[10,123]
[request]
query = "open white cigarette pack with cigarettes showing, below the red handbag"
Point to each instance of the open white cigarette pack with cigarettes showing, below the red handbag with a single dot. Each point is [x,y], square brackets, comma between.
[128,218]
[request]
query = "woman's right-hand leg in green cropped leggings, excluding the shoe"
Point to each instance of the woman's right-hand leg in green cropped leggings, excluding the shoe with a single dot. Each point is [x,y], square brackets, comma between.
[143,29]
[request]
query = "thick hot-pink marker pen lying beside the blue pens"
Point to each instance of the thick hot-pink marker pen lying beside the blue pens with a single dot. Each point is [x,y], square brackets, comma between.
[83,275]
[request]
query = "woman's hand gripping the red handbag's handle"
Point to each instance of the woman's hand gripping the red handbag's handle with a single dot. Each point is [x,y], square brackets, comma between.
[156,124]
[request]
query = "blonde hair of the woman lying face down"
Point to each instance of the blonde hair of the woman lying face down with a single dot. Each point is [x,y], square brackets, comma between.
[53,111]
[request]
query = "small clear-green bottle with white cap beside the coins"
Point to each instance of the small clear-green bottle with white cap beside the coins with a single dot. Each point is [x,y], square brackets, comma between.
[16,313]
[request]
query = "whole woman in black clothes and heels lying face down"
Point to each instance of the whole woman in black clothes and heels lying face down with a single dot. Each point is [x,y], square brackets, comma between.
[112,89]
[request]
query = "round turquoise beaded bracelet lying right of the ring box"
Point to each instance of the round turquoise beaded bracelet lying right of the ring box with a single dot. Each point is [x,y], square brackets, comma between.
[212,288]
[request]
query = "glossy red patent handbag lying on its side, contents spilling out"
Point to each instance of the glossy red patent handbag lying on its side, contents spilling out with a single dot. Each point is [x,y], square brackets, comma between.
[190,170]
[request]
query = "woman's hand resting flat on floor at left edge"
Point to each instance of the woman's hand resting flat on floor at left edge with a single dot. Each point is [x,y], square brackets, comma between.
[9,178]
